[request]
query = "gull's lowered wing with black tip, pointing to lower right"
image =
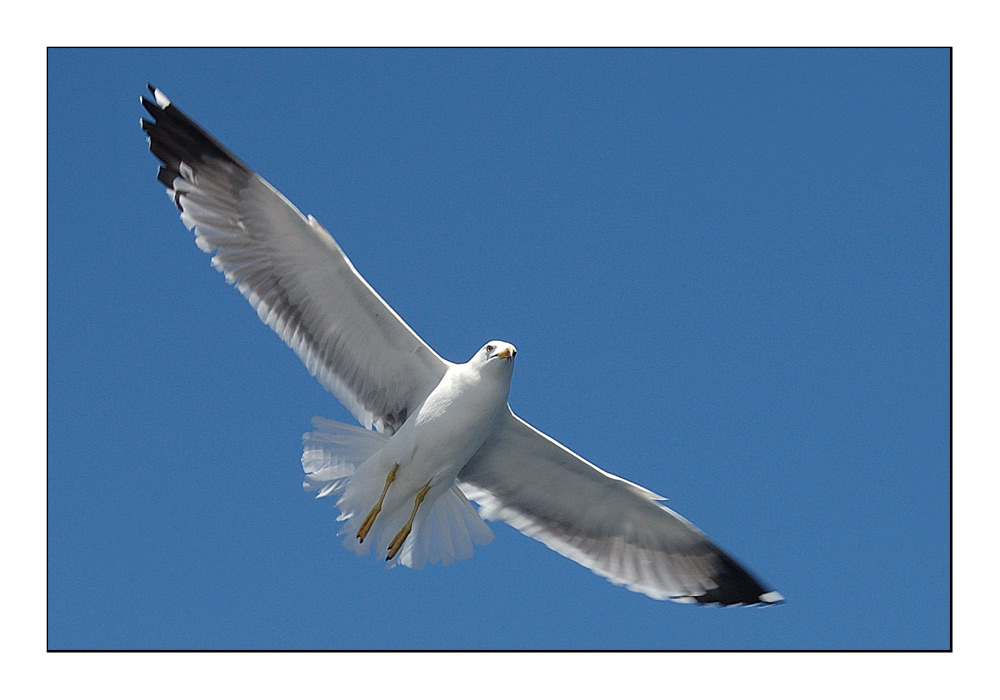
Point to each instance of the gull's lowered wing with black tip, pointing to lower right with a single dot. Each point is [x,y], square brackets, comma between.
[610,525]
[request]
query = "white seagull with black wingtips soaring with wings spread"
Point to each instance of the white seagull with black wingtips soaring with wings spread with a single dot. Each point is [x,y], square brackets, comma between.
[435,435]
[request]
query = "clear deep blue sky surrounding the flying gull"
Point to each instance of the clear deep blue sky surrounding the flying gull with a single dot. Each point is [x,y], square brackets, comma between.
[726,273]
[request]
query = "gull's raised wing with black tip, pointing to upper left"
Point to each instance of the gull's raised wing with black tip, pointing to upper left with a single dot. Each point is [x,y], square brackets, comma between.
[294,274]
